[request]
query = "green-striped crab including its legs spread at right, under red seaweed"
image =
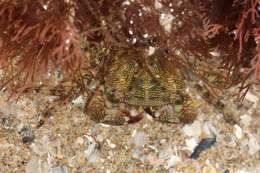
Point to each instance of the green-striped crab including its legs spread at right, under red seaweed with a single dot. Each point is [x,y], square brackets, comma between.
[130,91]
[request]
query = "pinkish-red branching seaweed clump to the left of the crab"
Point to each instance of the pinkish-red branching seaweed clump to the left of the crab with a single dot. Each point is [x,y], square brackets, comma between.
[37,37]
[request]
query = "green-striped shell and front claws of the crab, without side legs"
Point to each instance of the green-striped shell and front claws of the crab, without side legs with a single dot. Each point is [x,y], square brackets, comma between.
[130,92]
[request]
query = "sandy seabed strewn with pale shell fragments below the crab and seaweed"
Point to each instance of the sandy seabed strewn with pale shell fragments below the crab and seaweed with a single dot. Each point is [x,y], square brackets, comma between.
[69,142]
